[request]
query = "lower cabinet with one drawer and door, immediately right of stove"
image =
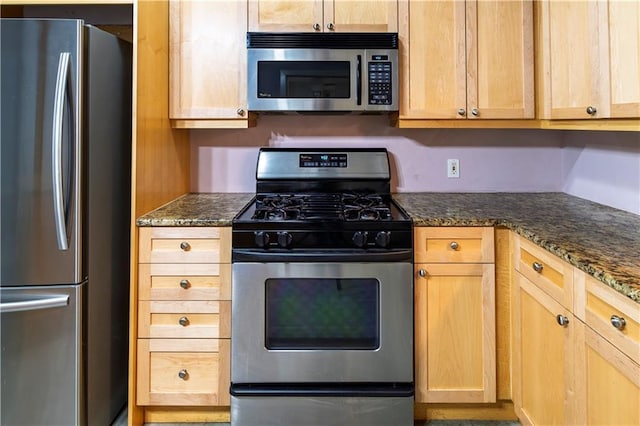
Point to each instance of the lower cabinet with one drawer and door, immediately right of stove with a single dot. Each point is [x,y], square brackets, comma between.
[455,359]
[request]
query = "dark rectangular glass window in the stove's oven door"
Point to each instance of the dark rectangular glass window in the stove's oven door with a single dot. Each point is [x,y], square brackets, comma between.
[319,313]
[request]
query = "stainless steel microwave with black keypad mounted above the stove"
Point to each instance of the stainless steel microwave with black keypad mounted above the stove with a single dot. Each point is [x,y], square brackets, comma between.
[327,72]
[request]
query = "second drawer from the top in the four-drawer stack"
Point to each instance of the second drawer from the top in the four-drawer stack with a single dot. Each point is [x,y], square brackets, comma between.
[176,281]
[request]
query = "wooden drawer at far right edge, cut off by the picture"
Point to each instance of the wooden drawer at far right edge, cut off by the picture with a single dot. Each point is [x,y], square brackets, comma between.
[609,313]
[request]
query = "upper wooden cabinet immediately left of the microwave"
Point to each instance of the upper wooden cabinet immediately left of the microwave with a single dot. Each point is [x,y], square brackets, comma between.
[207,64]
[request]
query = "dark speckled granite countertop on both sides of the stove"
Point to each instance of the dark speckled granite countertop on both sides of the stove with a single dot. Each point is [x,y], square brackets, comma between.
[602,241]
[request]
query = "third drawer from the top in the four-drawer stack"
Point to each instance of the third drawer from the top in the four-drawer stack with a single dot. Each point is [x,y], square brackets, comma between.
[190,319]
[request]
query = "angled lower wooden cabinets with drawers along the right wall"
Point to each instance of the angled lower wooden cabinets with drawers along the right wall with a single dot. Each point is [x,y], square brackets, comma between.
[576,344]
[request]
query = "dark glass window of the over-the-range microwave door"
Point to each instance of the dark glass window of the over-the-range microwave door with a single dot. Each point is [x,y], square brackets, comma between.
[304,79]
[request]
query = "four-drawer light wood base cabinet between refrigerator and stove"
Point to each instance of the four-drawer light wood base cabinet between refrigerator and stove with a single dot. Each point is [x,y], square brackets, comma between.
[184,316]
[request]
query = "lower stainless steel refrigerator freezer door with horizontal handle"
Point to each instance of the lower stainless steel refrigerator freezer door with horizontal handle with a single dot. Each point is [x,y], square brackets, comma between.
[41,355]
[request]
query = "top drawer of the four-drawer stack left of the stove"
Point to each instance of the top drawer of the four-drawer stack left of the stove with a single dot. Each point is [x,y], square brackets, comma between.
[185,245]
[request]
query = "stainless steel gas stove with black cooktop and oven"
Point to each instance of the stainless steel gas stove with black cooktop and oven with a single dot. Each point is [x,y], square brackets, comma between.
[322,304]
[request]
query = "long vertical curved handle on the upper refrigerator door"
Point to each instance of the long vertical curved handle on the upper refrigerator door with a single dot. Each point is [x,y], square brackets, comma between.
[56,149]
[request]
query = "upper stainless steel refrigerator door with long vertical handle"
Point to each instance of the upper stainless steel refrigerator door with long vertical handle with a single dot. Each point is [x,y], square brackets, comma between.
[41,76]
